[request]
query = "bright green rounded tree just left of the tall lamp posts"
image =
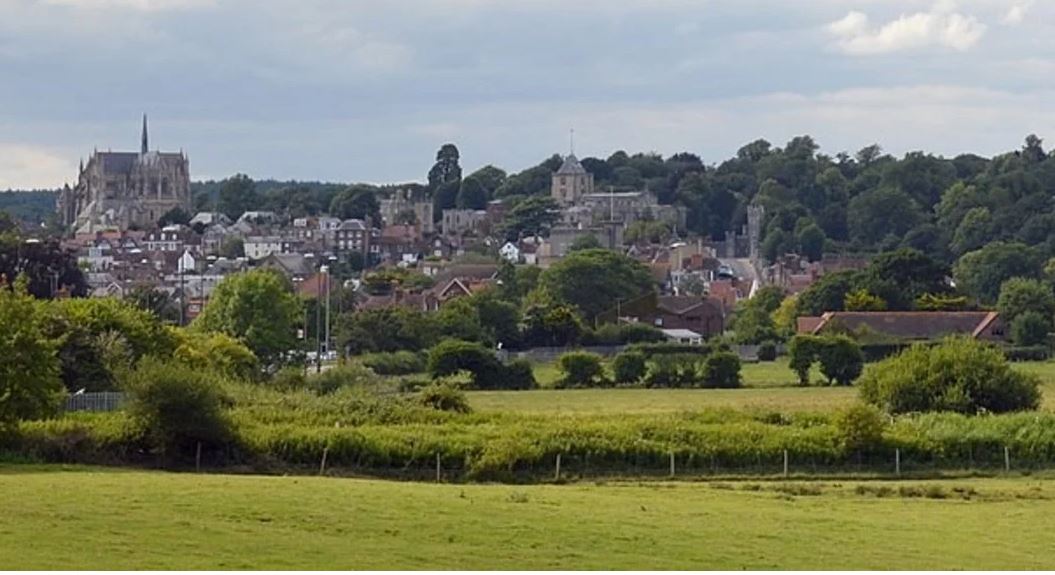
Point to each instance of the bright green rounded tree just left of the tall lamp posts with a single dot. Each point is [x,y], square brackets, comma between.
[258,309]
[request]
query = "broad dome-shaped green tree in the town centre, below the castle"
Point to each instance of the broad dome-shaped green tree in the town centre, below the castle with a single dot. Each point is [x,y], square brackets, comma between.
[593,281]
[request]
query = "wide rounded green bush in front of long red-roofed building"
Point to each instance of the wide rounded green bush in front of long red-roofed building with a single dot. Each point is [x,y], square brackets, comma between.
[961,375]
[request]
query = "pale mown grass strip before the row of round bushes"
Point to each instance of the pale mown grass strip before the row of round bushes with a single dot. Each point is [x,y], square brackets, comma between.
[770,387]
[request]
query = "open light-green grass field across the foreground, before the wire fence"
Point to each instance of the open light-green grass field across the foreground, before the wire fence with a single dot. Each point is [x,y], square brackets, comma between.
[123,521]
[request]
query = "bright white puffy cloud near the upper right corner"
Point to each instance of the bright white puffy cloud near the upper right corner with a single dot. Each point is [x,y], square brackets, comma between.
[942,27]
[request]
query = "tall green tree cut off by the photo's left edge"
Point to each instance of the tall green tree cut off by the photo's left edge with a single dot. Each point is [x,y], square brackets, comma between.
[30,385]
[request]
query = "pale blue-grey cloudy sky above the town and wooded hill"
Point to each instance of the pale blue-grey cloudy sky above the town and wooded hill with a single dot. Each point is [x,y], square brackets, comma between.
[369,90]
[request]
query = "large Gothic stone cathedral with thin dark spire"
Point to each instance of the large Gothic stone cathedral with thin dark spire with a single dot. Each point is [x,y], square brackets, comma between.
[122,190]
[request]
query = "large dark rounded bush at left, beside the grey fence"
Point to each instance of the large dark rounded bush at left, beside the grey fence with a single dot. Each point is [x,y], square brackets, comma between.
[176,408]
